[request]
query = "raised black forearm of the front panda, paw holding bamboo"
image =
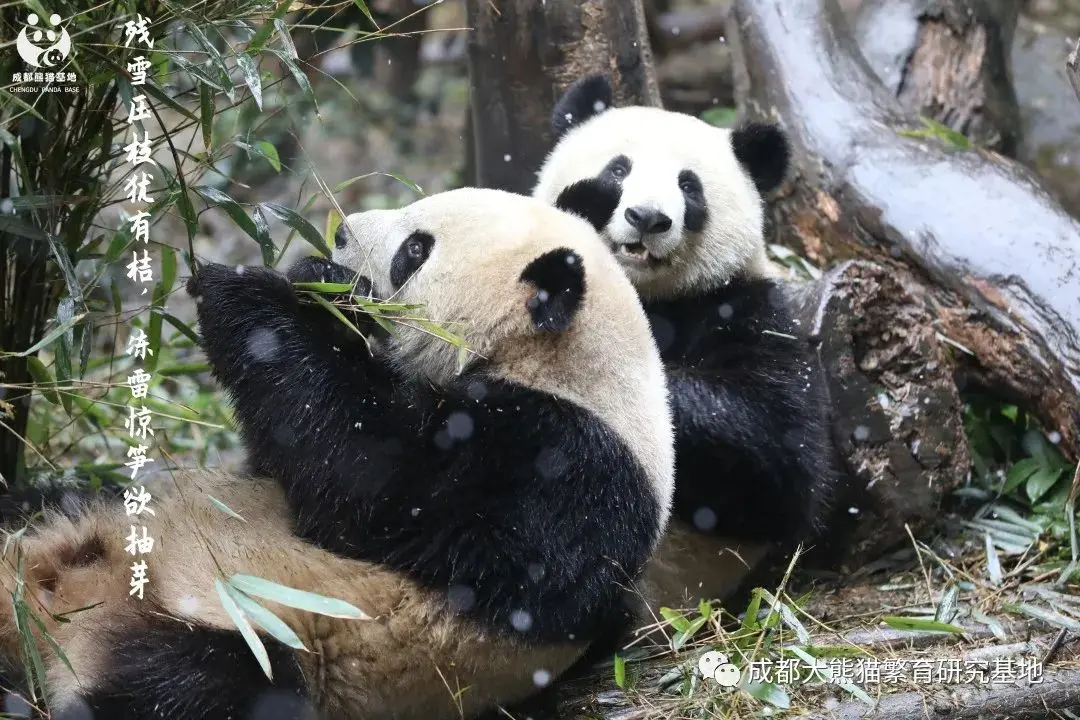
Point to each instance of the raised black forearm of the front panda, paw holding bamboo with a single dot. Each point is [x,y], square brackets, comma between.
[306,389]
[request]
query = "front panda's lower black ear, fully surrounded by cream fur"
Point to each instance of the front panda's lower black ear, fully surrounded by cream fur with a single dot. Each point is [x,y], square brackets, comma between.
[559,278]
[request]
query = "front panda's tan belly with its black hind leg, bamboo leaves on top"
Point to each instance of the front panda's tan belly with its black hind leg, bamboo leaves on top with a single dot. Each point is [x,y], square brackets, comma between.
[178,654]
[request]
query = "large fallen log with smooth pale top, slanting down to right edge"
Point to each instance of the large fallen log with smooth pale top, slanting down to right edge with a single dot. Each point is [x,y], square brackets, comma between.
[998,259]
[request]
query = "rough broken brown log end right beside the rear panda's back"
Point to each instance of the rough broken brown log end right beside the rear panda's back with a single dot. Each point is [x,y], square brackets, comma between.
[897,416]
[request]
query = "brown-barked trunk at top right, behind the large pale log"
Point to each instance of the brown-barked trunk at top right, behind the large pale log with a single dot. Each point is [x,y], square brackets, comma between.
[949,61]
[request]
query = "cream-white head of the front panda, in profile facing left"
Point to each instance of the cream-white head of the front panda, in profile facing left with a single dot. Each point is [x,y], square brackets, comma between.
[466,255]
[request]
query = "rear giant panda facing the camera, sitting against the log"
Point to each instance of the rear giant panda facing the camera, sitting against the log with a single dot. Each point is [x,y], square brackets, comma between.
[754,460]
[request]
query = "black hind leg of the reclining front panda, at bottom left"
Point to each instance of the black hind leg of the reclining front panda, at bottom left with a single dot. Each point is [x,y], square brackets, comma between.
[168,670]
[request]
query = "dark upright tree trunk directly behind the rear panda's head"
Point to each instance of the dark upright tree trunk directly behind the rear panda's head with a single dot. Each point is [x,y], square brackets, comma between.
[524,55]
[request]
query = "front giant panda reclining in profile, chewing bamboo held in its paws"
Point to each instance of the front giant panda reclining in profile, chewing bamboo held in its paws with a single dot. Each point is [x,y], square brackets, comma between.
[487,518]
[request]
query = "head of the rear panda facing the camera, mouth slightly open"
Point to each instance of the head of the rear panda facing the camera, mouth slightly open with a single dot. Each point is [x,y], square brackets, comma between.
[688,196]
